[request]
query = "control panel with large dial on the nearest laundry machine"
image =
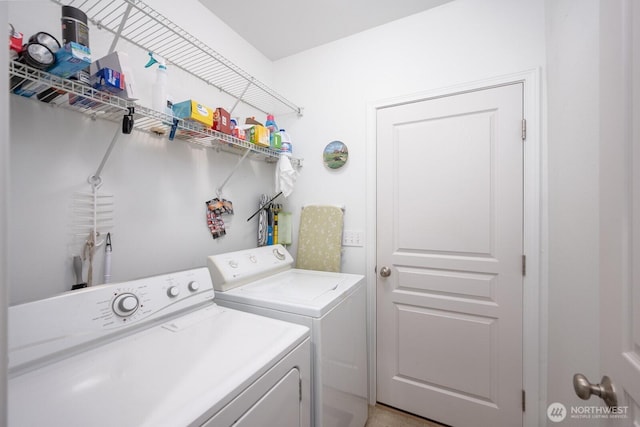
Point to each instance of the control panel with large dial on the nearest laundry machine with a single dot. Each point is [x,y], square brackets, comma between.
[52,325]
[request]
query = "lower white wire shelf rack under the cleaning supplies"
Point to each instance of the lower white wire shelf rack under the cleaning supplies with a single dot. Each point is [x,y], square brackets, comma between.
[101,105]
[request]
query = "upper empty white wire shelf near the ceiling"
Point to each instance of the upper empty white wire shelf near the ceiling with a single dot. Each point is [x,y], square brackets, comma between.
[142,26]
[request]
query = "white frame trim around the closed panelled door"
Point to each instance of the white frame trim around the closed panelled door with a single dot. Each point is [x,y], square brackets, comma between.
[534,233]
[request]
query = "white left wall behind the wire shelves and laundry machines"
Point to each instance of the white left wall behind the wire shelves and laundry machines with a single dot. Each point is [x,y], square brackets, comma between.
[160,187]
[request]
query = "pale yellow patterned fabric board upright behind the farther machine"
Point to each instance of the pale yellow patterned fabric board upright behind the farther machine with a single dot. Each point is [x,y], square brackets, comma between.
[320,238]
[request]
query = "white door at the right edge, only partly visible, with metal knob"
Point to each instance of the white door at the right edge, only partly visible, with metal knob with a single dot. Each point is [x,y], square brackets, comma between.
[620,210]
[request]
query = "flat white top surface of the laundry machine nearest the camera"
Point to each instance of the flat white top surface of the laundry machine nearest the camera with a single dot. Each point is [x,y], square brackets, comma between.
[176,374]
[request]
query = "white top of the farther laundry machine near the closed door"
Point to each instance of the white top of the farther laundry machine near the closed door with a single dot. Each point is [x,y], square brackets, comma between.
[305,292]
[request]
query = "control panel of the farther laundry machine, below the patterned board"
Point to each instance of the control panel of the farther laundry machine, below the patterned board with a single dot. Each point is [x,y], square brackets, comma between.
[233,269]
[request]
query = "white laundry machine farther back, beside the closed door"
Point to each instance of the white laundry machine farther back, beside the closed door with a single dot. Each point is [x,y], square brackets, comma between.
[333,305]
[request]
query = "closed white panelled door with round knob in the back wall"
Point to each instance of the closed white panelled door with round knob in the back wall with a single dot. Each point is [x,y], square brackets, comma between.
[449,257]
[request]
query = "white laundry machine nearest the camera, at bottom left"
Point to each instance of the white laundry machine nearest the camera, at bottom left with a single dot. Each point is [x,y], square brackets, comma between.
[154,352]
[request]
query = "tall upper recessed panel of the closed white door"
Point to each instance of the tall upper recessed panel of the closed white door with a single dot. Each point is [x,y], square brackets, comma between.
[446,223]
